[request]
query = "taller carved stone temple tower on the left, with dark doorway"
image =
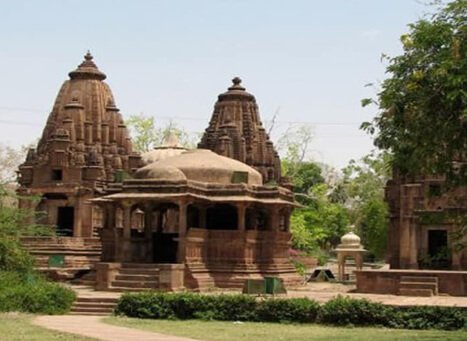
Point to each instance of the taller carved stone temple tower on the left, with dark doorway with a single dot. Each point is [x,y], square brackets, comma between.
[84,146]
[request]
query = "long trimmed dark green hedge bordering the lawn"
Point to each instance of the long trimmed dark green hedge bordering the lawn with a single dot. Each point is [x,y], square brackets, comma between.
[338,311]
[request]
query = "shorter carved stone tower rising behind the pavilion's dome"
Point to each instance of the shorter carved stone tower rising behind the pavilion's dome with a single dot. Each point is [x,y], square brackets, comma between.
[236,131]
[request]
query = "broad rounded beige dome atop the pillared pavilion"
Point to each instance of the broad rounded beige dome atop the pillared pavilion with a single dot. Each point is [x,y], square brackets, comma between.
[204,166]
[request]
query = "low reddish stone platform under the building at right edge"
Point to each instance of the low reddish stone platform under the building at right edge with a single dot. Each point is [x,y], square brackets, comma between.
[389,281]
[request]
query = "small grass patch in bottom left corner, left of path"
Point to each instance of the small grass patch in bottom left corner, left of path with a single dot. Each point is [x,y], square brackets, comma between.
[18,327]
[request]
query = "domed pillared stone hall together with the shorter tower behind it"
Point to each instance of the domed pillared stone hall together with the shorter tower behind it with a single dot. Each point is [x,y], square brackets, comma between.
[199,219]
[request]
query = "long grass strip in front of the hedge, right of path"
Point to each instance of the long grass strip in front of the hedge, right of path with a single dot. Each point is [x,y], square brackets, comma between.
[230,331]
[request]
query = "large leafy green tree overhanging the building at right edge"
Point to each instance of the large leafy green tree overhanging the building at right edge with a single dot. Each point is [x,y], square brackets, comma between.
[422,116]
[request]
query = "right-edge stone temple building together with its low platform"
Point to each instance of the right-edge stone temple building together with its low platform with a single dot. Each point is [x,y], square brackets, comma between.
[426,246]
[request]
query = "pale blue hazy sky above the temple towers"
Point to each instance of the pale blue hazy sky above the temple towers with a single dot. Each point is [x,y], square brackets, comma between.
[306,61]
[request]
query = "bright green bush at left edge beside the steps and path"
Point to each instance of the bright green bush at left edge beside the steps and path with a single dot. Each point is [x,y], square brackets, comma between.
[33,294]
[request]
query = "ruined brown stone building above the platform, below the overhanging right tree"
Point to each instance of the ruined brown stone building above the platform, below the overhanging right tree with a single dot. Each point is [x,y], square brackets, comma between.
[423,223]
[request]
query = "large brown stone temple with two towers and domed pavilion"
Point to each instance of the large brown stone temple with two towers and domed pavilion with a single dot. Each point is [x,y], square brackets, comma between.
[168,219]
